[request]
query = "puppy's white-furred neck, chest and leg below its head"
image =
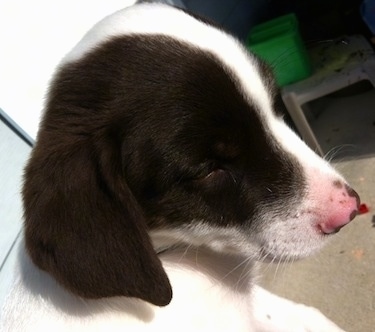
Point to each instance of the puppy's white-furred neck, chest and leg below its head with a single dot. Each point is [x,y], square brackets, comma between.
[201,302]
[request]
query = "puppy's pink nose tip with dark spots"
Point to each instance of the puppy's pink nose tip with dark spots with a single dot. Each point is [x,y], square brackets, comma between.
[342,207]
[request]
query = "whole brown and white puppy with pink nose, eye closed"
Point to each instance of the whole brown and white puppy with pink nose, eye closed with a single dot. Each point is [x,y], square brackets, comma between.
[161,174]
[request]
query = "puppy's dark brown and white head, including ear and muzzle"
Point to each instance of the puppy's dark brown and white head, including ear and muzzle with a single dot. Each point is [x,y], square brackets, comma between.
[153,128]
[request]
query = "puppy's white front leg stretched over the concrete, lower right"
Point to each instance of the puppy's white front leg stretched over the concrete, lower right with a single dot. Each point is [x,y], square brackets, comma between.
[276,314]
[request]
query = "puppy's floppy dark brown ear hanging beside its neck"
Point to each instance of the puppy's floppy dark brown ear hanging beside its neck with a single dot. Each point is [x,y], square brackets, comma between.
[84,226]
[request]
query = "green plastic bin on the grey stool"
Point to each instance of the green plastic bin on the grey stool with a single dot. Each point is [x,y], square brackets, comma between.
[279,43]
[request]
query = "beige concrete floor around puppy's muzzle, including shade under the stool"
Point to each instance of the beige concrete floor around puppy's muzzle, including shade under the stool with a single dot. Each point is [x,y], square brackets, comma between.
[340,280]
